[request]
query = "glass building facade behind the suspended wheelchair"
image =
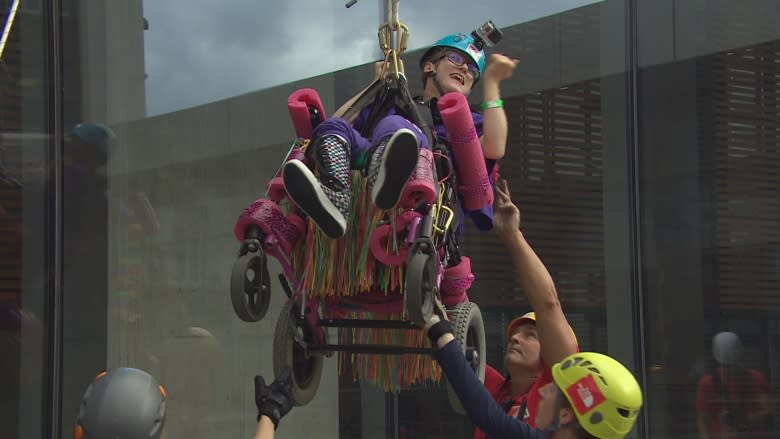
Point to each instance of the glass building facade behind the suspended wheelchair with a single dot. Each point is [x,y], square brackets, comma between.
[644,153]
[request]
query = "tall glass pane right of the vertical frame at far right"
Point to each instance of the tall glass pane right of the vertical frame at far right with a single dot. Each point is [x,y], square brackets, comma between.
[705,161]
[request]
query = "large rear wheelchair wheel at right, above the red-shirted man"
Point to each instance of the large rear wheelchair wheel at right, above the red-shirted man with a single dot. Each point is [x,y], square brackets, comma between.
[470,333]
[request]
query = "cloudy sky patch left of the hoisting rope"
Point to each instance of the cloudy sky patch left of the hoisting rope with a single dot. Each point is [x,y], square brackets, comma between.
[200,51]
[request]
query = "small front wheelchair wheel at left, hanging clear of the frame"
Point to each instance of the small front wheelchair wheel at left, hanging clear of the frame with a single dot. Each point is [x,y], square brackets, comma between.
[250,286]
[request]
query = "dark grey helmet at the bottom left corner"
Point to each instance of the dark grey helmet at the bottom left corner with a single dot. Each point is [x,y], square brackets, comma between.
[123,403]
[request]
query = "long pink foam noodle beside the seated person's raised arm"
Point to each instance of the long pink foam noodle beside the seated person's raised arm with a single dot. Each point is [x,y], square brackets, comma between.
[474,184]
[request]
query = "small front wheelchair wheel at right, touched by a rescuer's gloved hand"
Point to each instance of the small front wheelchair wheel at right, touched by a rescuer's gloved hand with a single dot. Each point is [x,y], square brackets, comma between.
[420,287]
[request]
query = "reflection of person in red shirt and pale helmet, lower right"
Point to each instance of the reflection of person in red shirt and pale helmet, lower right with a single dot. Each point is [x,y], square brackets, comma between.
[733,401]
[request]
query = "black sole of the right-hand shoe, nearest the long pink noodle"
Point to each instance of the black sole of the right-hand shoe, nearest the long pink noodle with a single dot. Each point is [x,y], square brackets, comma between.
[398,163]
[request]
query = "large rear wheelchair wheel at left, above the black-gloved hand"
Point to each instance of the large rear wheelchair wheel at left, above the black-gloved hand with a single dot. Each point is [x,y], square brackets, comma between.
[288,353]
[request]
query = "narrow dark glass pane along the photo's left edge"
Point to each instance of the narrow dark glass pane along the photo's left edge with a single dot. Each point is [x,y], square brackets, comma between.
[25,190]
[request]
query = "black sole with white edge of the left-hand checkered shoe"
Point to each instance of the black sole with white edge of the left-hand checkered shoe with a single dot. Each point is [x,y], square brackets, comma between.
[304,189]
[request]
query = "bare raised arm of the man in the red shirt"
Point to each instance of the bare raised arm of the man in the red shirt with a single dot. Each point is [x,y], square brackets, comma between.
[556,337]
